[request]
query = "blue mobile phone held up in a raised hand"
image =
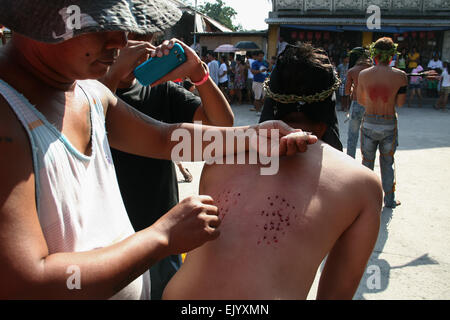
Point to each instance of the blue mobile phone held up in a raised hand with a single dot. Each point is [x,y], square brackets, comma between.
[155,68]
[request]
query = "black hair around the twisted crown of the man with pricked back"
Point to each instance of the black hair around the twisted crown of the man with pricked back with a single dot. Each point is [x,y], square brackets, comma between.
[304,70]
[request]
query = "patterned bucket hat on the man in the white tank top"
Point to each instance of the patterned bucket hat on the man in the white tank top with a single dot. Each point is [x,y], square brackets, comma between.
[59,20]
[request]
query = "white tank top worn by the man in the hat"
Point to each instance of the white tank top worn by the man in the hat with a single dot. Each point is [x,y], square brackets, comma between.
[79,204]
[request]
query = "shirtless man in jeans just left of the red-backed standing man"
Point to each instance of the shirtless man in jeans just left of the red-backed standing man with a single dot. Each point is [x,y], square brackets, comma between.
[361,57]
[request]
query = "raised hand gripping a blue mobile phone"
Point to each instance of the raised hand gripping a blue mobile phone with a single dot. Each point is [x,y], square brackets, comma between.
[171,60]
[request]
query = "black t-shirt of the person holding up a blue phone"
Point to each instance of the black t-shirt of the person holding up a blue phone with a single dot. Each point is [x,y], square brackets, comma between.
[149,187]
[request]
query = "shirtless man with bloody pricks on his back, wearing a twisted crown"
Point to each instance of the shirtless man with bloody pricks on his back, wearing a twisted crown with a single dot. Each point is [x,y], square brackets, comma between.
[277,230]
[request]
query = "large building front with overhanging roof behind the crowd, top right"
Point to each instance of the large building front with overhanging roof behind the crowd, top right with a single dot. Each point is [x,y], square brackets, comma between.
[339,25]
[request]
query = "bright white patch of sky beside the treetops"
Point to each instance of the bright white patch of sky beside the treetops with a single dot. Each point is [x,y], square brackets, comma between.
[251,13]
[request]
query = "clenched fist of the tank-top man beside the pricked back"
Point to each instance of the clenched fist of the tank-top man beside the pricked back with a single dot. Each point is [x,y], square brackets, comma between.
[190,224]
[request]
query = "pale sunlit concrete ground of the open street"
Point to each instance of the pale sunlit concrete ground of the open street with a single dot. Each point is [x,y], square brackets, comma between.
[411,259]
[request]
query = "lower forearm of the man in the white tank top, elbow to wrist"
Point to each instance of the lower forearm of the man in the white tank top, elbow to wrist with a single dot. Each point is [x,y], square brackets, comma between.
[102,272]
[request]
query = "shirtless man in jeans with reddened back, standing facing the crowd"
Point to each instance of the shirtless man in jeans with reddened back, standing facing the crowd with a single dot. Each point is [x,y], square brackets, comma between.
[380,89]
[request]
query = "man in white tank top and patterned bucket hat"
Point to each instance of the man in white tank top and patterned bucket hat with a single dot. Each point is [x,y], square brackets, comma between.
[64,229]
